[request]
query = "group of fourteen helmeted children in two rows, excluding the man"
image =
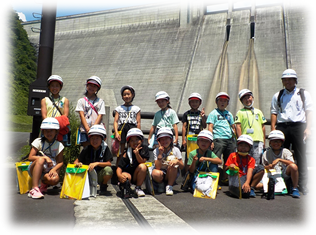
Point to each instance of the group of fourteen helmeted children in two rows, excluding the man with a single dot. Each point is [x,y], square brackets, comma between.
[219,139]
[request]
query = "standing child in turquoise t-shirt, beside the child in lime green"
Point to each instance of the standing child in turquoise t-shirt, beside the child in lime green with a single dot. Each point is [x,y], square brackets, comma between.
[221,124]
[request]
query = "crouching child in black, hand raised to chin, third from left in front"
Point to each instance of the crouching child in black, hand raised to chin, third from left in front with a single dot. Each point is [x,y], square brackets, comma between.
[131,167]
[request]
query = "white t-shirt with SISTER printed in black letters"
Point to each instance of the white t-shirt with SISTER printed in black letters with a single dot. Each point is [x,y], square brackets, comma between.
[127,114]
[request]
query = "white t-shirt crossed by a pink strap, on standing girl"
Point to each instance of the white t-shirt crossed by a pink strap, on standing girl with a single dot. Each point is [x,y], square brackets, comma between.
[90,115]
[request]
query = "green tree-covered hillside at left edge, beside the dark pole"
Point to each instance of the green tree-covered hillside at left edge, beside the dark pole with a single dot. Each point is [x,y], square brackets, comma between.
[17,63]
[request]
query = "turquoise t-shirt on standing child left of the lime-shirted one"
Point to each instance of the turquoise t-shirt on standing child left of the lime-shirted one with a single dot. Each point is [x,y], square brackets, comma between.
[222,121]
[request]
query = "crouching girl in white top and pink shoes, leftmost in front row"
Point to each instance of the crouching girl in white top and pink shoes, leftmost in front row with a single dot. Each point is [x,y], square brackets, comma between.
[46,158]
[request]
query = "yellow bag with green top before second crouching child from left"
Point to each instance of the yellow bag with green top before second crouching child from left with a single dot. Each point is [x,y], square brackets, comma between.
[74,182]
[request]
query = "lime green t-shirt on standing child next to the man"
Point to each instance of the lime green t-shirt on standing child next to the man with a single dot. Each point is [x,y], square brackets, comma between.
[251,123]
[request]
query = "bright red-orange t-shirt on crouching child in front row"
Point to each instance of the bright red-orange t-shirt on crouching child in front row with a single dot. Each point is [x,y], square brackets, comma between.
[244,163]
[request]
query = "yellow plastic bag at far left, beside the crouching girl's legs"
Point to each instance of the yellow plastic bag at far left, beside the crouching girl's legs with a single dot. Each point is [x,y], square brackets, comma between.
[24,179]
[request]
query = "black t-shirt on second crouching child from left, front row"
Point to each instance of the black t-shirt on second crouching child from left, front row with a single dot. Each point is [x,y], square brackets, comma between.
[89,155]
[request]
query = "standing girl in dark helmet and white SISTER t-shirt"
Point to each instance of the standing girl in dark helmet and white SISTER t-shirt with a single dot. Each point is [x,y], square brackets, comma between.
[127,116]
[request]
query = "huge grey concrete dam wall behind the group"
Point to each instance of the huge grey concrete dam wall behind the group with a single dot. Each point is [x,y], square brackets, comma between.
[179,47]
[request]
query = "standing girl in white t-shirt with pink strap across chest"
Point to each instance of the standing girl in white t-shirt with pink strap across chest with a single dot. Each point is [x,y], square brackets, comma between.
[91,108]
